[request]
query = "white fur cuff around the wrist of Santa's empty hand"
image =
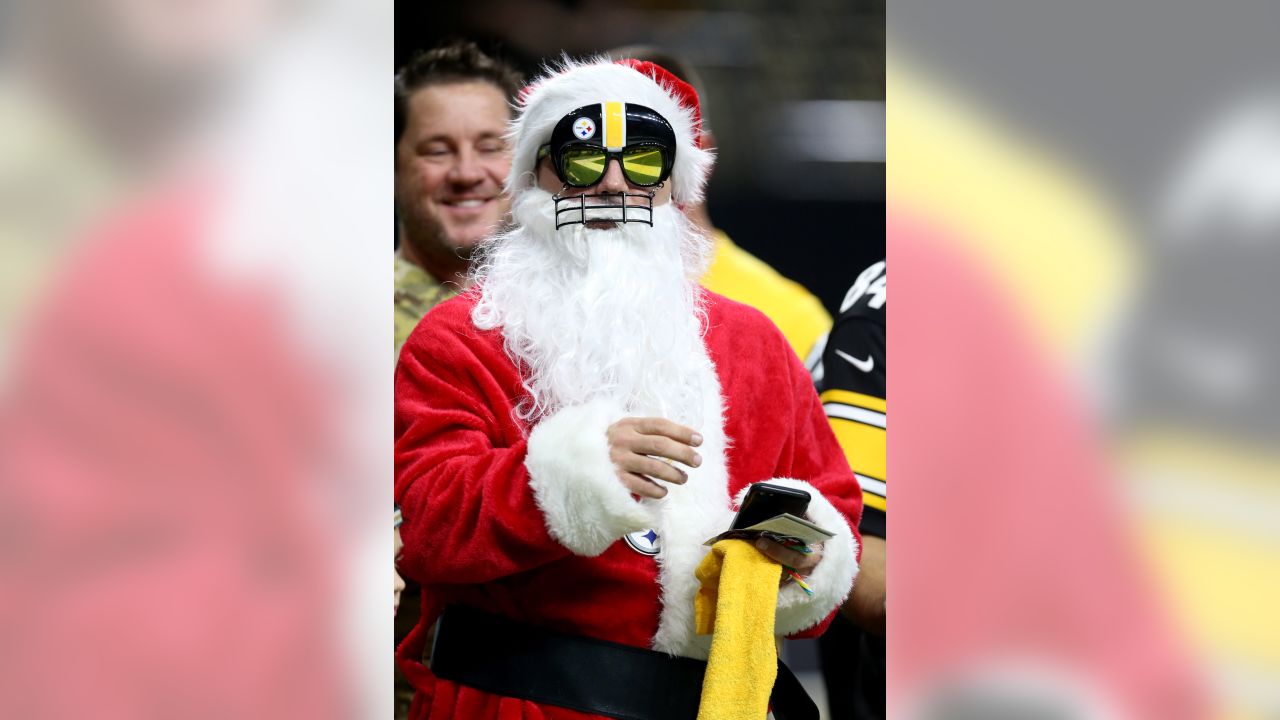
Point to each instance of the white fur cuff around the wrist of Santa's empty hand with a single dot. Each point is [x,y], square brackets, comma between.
[575,484]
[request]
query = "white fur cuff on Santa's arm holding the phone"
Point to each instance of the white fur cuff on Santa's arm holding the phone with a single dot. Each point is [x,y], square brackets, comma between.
[834,577]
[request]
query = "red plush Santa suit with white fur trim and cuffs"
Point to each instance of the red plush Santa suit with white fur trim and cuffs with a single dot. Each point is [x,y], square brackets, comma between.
[532,523]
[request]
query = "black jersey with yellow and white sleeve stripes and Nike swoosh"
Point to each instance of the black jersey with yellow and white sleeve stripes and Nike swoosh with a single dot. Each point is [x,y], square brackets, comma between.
[851,379]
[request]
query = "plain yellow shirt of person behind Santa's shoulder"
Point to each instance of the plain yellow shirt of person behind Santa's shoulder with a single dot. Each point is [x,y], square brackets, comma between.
[740,276]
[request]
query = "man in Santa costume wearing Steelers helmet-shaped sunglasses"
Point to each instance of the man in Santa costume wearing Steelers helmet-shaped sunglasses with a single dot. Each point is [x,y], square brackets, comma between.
[573,431]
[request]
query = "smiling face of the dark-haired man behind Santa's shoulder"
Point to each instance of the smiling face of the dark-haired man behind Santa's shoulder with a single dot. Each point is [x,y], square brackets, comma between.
[451,166]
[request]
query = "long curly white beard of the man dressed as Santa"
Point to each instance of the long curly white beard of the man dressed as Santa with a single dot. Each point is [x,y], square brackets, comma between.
[592,315]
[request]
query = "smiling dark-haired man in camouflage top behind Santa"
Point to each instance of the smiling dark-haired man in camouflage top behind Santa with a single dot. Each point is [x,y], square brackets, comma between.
[452,108]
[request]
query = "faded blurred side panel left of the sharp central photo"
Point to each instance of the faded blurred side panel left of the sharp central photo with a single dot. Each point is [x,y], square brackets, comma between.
[194,470]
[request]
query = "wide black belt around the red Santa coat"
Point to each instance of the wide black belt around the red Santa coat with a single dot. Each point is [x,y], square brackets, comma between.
[501,657]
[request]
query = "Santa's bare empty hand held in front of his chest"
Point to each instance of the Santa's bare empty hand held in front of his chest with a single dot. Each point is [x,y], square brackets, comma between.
[637,446]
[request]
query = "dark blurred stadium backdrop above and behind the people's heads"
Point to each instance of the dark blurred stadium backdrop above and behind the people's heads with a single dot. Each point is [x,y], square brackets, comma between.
[796,95]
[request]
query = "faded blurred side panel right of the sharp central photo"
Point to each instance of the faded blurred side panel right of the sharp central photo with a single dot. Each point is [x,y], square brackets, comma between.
[1100,180]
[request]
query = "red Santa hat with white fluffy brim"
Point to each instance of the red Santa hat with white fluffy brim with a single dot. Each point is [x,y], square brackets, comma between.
[574,84]
